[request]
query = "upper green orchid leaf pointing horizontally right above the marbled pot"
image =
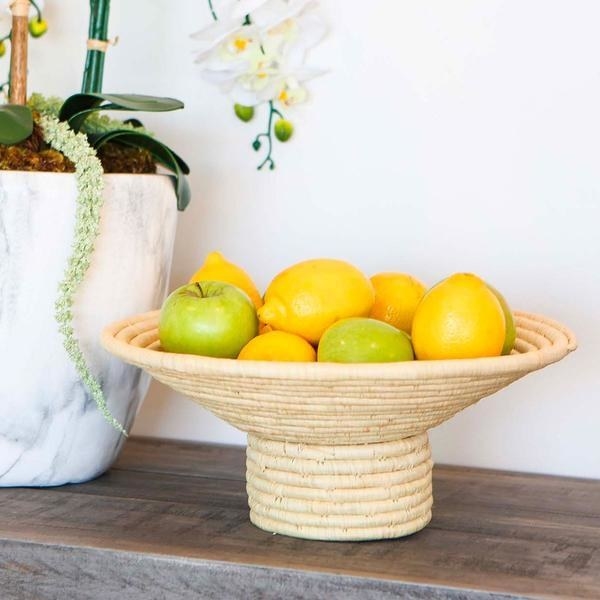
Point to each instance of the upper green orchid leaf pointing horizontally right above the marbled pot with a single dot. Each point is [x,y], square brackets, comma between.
[78,107]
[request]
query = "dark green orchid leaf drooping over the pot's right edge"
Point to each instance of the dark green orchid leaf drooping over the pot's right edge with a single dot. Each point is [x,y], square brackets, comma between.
[160,152]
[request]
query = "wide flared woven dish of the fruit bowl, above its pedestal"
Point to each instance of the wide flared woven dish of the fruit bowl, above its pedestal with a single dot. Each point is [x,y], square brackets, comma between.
[326,403]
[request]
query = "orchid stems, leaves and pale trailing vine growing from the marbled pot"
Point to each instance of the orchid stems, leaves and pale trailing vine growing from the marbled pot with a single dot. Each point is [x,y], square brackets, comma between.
[74,129]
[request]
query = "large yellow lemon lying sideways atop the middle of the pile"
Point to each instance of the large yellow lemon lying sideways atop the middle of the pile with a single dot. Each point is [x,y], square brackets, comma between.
[309,296]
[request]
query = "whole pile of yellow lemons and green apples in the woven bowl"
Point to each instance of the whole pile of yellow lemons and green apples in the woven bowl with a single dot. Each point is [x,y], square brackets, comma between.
[327,310]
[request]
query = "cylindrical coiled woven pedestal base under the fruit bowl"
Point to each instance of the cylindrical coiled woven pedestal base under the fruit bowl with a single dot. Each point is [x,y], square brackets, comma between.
[340,492]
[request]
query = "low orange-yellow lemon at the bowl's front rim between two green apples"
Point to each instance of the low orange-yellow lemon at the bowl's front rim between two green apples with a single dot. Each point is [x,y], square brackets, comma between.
[278,345]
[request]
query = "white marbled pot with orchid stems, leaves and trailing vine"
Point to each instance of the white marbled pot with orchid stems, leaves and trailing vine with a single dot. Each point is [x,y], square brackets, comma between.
[86,235]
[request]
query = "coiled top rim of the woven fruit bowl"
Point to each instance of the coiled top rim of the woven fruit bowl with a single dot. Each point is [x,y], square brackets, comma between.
[122,339]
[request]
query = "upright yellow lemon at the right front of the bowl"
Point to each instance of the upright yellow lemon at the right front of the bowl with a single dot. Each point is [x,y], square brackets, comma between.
[459,317]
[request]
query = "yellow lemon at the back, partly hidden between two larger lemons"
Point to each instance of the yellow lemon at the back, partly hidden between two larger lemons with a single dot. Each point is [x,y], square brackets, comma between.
[396,298]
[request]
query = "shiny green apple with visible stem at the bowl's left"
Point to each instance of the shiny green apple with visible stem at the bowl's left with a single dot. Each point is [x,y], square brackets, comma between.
[210,318]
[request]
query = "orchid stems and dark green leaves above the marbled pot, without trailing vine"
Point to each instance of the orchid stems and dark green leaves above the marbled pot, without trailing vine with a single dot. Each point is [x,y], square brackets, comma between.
[17,117]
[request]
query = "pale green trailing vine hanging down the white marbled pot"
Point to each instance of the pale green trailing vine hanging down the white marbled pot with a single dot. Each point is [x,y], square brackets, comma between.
[88,175]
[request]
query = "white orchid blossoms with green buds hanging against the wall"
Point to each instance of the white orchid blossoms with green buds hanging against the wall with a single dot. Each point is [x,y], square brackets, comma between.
[255,51]
